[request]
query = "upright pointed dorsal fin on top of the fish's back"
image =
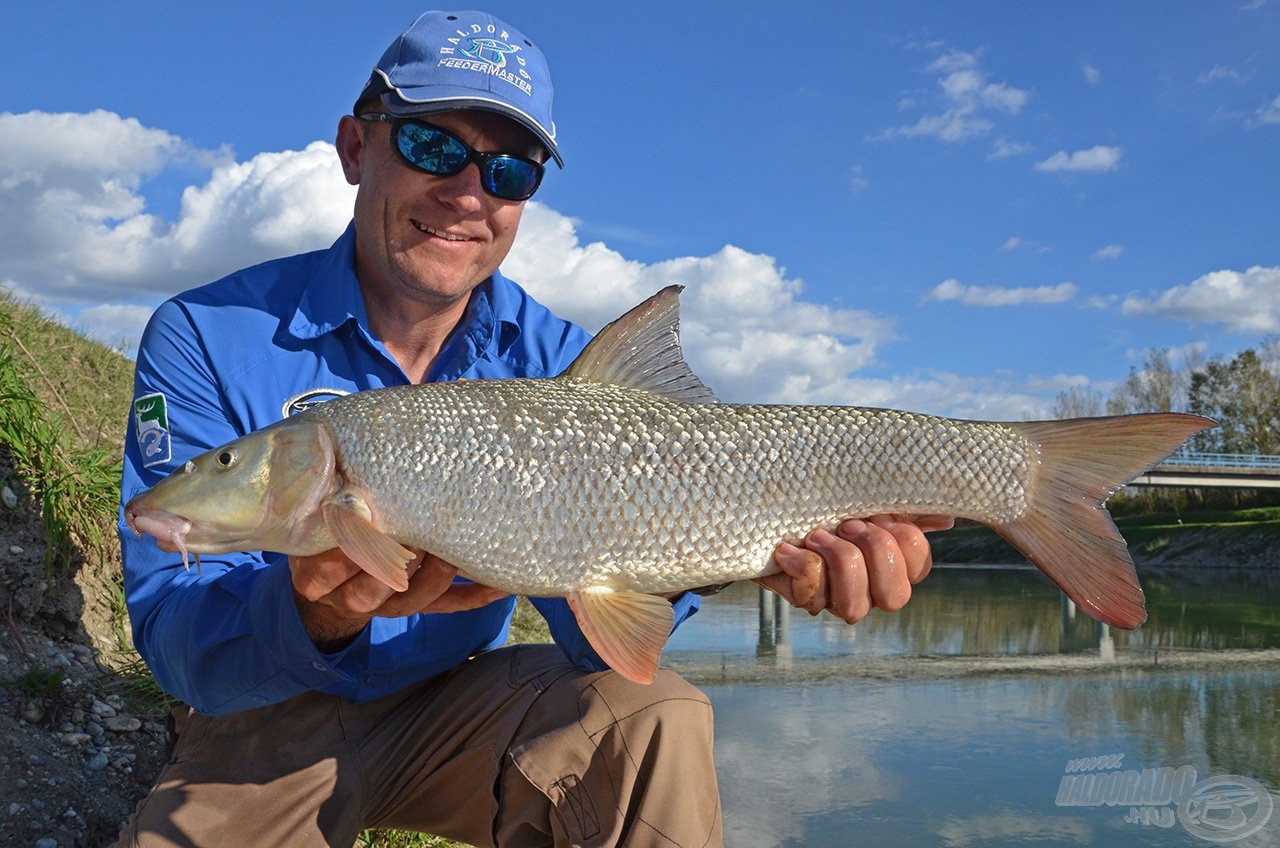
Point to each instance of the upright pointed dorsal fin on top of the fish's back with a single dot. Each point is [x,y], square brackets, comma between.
[642,350]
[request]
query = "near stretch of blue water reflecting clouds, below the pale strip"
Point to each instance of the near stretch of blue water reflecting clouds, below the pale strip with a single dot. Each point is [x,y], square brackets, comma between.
[979,762]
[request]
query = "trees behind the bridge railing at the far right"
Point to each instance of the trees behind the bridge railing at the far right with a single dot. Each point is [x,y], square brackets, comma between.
[1242,394]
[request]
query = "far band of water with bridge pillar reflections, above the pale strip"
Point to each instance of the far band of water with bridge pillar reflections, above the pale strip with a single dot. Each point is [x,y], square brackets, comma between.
[991,612]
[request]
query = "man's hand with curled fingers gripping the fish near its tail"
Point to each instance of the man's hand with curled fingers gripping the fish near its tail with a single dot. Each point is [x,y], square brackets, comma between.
[865,564]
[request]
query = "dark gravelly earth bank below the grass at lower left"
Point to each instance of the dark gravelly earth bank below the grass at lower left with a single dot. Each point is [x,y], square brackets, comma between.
[77,751]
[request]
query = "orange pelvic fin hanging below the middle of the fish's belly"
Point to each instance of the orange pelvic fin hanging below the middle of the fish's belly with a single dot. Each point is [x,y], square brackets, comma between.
[628,630]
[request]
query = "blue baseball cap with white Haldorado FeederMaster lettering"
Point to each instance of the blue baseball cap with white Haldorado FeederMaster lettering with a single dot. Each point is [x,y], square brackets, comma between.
[467,61]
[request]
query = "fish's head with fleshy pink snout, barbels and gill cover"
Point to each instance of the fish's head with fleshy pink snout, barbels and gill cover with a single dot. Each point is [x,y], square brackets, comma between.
[260,493]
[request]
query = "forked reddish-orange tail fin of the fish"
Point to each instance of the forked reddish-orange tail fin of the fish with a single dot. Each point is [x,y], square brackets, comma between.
[1067,532]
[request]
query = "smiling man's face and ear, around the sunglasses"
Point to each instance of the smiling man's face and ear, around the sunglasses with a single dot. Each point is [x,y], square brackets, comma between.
[429,239]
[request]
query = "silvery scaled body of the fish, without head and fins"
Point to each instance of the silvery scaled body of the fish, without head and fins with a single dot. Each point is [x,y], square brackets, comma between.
[545,487]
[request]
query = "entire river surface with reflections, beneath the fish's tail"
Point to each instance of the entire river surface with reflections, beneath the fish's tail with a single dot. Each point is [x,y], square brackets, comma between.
[989,712]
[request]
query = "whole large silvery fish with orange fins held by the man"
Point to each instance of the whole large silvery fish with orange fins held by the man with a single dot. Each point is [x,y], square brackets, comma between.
[624,478]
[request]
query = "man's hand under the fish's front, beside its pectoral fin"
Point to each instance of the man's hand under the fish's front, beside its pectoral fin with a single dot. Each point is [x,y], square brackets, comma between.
[337,599]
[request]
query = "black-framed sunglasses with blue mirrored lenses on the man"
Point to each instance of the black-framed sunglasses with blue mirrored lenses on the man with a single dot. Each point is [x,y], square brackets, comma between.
[442,154]
